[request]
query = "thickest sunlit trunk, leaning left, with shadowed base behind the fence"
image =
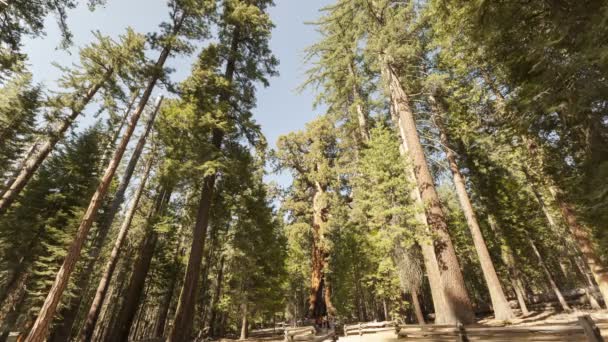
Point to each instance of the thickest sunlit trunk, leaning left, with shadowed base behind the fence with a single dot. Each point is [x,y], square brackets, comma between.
[457,304]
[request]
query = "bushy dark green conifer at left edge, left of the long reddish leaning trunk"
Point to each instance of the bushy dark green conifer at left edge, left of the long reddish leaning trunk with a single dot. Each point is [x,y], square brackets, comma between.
[44,218]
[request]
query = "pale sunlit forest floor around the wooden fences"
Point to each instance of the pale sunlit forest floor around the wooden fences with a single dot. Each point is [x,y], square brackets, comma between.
[534,318]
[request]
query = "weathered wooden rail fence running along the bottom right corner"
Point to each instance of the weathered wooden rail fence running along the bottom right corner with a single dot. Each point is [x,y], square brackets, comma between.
[583,330]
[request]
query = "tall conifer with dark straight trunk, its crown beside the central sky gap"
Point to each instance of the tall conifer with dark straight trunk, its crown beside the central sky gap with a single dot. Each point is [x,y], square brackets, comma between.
[244,32]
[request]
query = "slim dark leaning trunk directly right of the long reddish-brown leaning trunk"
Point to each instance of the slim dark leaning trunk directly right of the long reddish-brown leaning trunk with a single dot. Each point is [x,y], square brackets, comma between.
[63,331]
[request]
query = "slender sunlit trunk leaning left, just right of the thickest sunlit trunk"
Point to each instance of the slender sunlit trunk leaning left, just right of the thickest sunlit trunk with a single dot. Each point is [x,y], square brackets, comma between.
[502,310]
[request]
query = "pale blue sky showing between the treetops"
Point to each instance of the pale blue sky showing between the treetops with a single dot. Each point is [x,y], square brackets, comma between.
[281,108]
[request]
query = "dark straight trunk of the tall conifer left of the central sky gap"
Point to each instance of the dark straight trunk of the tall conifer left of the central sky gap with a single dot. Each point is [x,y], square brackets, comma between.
[184,315]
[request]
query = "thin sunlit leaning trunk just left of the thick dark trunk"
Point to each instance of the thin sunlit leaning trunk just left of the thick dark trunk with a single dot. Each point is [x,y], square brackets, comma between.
[93,313]
